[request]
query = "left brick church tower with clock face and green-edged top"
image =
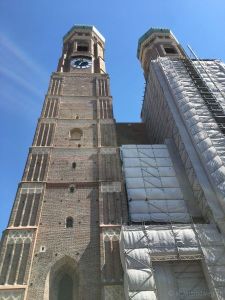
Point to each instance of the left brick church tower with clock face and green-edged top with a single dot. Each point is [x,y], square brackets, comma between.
[62,238]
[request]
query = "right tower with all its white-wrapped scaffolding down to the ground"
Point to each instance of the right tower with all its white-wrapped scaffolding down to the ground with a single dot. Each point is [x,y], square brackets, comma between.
[176,186]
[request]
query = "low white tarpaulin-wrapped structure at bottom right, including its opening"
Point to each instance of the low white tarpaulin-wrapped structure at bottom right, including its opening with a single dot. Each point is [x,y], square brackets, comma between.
[183,244]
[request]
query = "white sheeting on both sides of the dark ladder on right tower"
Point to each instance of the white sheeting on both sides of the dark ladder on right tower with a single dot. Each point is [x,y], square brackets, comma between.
[203,129]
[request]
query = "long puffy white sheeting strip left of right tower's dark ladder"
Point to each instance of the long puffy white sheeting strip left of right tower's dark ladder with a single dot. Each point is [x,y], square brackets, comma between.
[206,135]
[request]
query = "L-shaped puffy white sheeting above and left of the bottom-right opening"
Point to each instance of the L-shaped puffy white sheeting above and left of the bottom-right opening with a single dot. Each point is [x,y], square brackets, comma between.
[139,244]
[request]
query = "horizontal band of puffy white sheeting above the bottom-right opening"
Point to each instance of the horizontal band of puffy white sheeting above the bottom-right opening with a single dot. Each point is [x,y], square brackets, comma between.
[159,240]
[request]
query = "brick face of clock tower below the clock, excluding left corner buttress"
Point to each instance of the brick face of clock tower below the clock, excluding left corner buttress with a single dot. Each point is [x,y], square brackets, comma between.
[83,242]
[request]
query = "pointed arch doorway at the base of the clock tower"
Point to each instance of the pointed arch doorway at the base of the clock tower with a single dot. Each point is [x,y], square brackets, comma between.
[63,280]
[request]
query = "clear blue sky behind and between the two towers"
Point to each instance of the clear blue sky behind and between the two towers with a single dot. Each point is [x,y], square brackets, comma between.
[30,44]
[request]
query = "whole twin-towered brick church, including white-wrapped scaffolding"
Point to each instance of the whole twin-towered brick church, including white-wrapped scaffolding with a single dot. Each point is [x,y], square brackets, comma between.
[114,211]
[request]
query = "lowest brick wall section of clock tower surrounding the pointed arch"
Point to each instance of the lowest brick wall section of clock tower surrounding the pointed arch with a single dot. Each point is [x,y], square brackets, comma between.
[80,242]
